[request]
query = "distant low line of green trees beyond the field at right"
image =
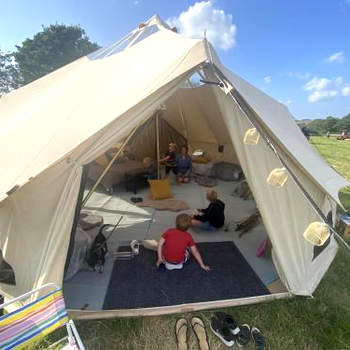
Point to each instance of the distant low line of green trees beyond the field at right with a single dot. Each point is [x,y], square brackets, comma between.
[330,124]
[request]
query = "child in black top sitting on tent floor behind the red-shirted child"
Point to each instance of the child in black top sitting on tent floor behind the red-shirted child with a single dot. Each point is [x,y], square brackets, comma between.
[213,217]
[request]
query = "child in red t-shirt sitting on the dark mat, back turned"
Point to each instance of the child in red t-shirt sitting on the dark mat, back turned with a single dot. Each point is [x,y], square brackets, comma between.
[176,244]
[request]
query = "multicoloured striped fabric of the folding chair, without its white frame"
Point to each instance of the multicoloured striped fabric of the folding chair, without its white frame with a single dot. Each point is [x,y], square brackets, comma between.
[33,321]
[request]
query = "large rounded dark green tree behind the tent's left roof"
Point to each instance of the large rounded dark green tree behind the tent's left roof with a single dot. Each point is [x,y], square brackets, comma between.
[50,49]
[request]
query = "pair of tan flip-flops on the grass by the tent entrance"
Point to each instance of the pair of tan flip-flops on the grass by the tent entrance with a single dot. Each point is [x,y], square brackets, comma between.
[198,327]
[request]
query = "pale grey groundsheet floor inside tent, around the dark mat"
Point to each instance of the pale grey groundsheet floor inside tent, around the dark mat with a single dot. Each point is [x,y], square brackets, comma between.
[87,289]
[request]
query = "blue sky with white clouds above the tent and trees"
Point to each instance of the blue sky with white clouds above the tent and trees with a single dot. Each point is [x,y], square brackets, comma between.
[296,51]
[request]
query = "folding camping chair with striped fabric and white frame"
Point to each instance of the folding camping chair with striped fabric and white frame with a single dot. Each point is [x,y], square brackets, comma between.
[36,320]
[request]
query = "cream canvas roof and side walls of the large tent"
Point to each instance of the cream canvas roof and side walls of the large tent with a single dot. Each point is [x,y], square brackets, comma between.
[69,117]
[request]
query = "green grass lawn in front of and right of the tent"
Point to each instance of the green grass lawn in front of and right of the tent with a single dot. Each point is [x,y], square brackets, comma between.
[298,323]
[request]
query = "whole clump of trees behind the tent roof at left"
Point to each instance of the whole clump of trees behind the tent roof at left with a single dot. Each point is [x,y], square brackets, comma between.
[51,48]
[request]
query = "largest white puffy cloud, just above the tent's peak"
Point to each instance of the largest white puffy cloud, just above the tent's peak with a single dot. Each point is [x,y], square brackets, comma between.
[203,16]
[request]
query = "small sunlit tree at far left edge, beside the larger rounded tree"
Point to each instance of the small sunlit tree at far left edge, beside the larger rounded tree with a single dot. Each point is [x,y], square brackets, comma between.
[10,77]
